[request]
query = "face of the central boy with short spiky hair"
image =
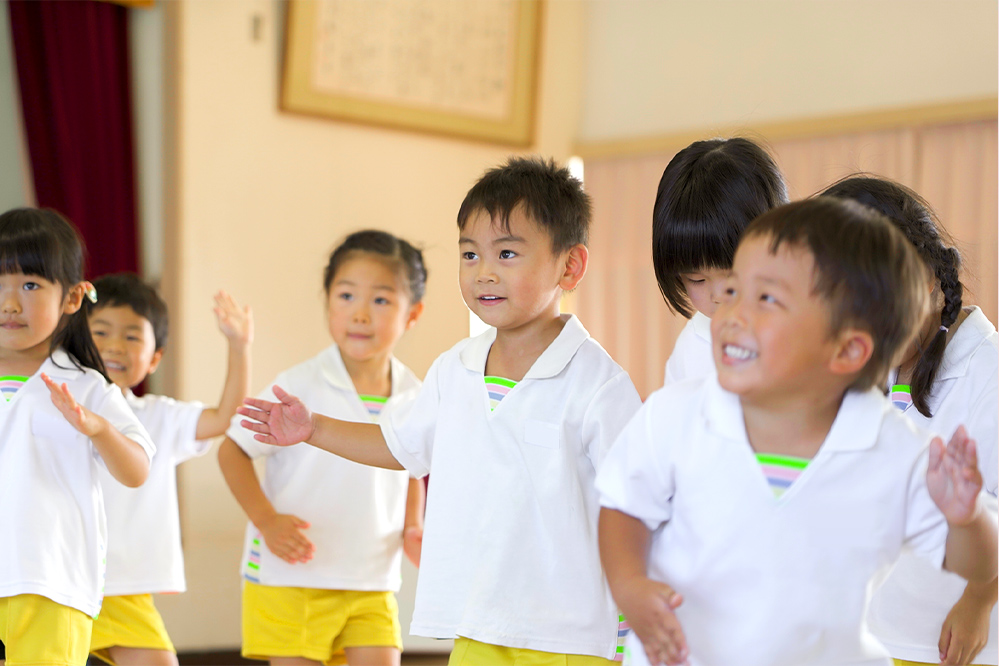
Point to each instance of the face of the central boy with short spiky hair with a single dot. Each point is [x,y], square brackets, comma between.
[510,278]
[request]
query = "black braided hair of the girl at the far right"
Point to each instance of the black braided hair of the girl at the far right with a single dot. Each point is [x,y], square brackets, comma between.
[914,217]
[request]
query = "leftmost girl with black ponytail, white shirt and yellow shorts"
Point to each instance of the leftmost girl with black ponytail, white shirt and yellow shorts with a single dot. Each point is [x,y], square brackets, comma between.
[60,418]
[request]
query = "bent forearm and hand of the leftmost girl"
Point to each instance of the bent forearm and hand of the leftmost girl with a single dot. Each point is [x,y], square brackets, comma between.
[125,459]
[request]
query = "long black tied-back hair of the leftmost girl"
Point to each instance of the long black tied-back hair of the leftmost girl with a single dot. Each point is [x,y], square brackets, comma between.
[42,242]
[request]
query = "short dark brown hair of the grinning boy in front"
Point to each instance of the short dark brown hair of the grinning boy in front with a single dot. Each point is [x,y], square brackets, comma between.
[865,269]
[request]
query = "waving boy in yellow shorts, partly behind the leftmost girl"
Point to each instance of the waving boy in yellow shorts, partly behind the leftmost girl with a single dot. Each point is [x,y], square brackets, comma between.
[129,325]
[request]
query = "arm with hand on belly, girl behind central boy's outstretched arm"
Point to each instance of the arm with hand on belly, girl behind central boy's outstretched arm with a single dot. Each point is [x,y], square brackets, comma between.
[283,533]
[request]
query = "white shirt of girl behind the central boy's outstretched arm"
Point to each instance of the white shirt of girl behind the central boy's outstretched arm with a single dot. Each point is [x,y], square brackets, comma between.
[356,512]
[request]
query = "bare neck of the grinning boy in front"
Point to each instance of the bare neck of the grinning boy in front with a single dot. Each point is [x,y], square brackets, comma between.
[793,427]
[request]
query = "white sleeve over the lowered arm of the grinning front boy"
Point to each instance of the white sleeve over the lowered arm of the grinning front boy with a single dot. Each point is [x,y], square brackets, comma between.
[636,476]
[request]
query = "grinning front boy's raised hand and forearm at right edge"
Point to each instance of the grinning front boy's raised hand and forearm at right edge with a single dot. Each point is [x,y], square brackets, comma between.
[954,482]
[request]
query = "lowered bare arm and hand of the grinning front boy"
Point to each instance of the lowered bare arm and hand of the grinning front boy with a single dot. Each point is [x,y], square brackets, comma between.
[647,604]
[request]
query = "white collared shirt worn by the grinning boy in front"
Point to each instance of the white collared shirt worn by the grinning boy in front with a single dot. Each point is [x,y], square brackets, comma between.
[771,581]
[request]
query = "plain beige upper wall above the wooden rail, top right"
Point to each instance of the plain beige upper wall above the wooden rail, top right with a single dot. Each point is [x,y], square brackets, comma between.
[664,66]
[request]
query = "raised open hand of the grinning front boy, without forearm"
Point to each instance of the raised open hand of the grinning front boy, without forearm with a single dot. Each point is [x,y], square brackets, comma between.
[953,478]
